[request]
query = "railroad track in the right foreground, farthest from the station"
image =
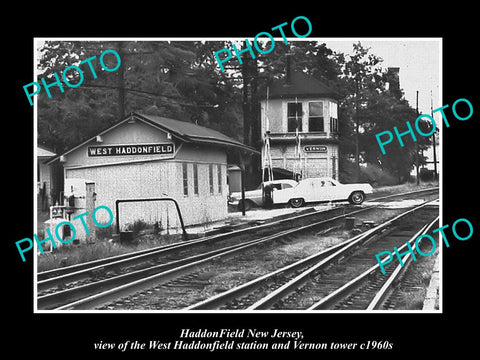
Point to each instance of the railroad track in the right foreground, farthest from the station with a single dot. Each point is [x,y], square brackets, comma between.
[325,275]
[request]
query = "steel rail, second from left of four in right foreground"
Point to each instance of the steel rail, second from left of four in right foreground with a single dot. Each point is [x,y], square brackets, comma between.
[278,294]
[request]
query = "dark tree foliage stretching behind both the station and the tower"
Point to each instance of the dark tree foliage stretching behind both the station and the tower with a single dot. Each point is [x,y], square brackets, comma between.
[181,80]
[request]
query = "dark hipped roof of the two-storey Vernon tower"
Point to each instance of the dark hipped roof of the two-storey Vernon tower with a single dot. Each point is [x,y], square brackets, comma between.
[300,85]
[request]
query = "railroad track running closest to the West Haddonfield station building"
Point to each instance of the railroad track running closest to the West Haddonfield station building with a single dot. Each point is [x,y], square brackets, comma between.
[73,287]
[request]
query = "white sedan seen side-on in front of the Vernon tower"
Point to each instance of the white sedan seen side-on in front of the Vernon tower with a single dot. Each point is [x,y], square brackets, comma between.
[321,190]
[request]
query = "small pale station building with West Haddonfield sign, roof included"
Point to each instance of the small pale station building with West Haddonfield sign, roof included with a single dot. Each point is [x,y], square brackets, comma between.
[146,156]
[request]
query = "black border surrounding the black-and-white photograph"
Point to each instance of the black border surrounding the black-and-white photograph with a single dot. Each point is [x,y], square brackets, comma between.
[61,335]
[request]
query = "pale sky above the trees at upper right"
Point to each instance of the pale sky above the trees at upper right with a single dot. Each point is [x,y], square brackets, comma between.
[419,60]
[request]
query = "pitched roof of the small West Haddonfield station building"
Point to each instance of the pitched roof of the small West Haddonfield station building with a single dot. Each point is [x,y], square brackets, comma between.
[182,130]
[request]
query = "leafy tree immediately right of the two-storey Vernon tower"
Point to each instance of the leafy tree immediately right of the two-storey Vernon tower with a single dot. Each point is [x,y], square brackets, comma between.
[370,107]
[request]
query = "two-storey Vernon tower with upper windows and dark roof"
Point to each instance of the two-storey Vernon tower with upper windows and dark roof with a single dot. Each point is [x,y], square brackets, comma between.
[299,126]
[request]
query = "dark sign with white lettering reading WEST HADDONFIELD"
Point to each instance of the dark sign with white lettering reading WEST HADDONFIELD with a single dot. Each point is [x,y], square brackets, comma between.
[140,149]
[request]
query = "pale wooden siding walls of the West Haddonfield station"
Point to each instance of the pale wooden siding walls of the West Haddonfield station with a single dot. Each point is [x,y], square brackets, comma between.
[153,175]
